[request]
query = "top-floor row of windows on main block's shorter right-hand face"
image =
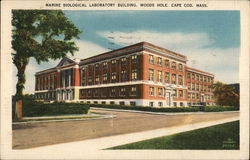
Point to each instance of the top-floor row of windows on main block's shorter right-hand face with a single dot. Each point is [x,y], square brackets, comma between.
[167,63]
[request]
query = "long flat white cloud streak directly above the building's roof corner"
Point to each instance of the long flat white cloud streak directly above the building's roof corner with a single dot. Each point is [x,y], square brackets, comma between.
[166,40]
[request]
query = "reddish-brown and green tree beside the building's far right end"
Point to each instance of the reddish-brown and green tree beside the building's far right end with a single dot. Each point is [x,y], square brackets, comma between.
[225,95]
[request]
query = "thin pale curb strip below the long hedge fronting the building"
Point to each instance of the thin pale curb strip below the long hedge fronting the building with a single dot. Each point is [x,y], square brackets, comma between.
[161,113]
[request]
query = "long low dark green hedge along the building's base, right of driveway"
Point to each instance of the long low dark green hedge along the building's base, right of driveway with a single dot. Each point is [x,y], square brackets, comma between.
[170,109]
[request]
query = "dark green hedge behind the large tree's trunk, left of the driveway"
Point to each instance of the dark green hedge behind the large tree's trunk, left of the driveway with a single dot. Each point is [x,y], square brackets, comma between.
[33,108]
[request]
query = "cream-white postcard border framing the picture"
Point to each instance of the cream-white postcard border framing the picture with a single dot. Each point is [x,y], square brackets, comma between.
[75,152]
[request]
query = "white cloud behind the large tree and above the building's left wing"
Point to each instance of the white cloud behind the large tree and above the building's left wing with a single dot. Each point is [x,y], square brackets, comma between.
[86,49]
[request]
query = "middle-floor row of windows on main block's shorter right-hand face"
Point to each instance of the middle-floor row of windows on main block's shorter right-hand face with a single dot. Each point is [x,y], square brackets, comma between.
[168,77]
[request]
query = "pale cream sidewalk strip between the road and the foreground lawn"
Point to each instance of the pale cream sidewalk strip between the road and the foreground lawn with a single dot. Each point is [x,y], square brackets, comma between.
[111,141]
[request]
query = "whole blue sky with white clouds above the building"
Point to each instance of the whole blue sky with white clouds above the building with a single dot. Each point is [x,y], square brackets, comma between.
[209,39]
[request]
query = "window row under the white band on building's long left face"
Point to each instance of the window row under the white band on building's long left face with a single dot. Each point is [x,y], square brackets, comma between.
[109,92]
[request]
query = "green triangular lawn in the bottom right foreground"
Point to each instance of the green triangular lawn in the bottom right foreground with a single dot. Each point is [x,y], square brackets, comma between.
[223,136]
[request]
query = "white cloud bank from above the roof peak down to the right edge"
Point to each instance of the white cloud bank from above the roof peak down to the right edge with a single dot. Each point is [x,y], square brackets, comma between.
[223,62]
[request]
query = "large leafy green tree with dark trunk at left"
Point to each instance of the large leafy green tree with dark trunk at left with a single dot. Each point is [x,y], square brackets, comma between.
[41,34]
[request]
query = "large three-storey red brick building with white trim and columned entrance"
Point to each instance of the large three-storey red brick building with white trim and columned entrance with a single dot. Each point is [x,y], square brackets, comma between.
[140,74]
